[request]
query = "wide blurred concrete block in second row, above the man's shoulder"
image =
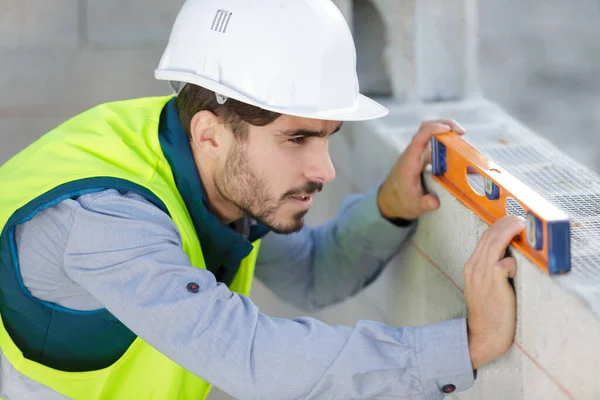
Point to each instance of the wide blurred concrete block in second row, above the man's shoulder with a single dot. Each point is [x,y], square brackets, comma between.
[77,80]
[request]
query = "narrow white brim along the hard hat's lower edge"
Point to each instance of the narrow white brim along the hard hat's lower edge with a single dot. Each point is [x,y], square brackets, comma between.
[364,107]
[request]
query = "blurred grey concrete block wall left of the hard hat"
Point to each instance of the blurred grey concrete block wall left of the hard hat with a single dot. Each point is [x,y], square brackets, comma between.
[60,57]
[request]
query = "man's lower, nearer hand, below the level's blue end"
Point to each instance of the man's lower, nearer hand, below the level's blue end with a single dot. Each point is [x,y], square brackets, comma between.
[490,297]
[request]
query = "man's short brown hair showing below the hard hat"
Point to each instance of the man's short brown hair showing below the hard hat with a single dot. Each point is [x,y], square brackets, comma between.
[192,99]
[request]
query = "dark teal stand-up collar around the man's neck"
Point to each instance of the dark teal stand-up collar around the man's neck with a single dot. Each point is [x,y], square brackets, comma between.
[223,246]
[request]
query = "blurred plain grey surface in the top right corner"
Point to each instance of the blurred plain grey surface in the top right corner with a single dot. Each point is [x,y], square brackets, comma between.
[540,59]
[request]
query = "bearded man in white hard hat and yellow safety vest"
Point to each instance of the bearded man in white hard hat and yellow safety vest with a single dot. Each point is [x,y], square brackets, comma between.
[131,233]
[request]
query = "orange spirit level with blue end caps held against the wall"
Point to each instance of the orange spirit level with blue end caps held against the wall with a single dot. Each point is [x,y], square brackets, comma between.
[492,192]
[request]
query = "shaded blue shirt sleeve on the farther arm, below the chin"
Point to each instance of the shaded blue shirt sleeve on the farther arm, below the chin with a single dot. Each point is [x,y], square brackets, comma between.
[323,265]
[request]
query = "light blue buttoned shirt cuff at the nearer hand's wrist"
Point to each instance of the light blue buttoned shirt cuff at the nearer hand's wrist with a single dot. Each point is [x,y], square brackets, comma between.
[443,358]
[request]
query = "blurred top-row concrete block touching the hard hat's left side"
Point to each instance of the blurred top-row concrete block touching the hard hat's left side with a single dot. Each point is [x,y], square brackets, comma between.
[135,22]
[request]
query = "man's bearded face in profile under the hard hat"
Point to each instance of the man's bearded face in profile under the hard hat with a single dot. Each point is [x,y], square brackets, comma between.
[273,174]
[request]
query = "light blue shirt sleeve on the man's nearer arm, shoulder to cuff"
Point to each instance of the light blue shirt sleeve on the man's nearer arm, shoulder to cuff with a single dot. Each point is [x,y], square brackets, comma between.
[128,255]
